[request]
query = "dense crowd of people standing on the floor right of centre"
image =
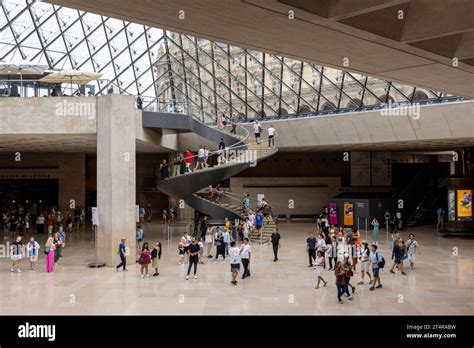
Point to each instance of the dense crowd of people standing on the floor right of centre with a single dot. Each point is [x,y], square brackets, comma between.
[347,255]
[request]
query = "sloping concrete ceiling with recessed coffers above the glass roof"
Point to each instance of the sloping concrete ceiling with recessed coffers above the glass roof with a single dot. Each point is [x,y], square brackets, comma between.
[408,41]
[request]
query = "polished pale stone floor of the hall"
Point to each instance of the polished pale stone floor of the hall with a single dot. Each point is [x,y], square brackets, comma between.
[442,282]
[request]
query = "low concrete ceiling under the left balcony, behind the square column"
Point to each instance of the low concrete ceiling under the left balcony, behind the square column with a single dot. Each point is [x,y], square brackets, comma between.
[63,143]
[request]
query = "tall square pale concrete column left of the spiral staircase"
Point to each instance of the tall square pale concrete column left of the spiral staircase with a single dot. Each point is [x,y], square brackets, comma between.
[115,176]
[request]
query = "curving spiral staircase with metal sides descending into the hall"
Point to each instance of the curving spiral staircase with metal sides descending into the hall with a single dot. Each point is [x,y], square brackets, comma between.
[241,154]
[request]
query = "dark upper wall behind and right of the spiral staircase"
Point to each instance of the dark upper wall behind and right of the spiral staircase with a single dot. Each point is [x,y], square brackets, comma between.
[302,164]
